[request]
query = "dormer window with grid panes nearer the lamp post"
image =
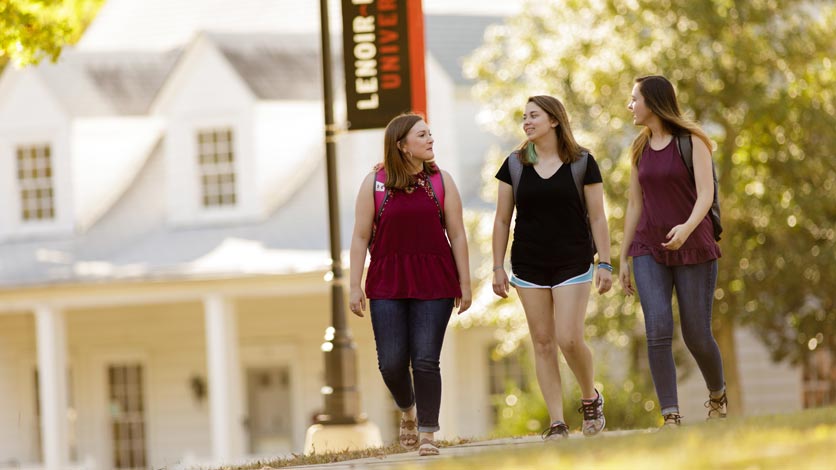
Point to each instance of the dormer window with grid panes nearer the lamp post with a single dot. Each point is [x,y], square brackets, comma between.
[216,165]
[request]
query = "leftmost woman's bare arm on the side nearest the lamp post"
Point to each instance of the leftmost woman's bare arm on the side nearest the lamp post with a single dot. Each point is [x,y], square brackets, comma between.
[363,221]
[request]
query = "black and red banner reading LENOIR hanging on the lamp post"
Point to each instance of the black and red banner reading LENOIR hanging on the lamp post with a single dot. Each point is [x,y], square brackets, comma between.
[383,54]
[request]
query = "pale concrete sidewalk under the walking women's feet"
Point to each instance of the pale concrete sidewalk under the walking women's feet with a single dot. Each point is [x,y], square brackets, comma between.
[412,459]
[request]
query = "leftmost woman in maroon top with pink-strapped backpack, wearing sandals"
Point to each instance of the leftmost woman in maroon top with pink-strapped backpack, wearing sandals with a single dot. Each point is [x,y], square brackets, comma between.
[415,276]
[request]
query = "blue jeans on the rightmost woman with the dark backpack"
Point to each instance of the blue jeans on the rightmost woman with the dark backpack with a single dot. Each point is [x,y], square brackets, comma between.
[694,286]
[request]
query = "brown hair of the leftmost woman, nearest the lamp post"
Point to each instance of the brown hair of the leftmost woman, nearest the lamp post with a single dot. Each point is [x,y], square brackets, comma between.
[394,160]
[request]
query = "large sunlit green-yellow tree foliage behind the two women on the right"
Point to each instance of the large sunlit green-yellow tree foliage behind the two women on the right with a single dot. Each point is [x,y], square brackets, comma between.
[759,76]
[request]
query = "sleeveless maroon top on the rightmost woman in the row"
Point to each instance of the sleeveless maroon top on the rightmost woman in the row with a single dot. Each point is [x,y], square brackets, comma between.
[668,197]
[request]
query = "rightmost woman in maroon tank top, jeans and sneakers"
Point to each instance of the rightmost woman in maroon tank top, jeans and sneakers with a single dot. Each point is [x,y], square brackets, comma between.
[669,235]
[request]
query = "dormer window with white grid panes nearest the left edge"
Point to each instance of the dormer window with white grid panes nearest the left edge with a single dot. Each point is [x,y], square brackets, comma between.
[34,178]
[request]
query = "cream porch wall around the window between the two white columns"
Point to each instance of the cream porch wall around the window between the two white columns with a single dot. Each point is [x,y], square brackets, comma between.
[168,340]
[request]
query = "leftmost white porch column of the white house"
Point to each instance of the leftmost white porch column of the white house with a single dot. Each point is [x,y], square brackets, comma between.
[52,390]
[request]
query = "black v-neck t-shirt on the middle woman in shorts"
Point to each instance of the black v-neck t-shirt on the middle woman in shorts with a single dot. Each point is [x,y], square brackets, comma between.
[550,229]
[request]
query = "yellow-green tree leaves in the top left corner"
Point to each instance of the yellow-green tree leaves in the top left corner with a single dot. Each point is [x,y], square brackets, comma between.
[31,30]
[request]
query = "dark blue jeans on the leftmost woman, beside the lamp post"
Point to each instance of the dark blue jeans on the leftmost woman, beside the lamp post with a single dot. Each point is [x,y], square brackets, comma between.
[410,331]
